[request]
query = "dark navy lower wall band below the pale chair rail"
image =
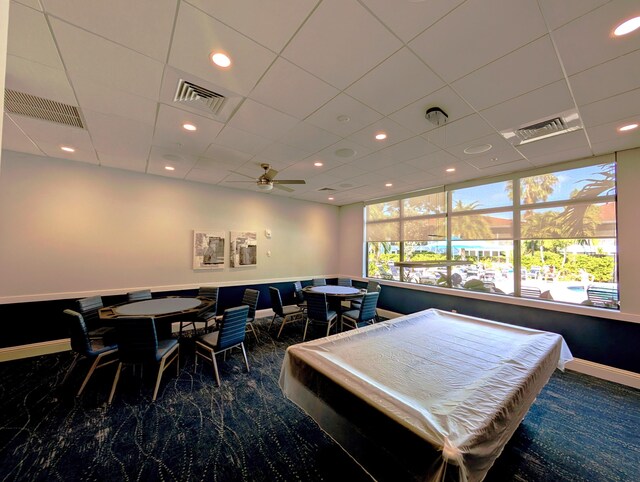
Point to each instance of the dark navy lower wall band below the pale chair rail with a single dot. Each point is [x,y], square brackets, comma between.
[600,340]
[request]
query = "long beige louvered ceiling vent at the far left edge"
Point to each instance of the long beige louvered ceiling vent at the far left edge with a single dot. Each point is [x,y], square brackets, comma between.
[40,108]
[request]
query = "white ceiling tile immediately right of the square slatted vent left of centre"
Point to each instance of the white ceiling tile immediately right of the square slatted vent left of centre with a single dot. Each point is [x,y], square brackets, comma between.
[289,89]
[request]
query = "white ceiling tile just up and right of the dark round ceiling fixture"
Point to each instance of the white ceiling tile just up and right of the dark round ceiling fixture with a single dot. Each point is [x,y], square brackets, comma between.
[530,68]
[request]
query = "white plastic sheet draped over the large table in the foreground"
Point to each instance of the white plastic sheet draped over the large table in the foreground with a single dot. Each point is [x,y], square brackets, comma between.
[462,384]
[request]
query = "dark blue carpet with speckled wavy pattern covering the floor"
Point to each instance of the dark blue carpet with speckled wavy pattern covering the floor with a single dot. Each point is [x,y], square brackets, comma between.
[579,429]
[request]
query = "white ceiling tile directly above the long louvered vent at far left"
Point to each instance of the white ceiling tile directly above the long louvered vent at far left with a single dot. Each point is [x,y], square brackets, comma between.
[38,79]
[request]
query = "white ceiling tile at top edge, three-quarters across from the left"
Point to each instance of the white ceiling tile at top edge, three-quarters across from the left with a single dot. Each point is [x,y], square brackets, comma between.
[476,33]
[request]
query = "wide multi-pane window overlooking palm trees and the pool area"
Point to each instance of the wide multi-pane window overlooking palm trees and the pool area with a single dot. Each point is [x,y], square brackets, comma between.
[550,236]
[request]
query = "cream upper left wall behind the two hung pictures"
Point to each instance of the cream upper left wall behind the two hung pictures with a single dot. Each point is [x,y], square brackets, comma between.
[69,229]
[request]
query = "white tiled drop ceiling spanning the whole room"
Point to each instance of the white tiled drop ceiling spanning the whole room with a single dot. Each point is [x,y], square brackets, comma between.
[312,81]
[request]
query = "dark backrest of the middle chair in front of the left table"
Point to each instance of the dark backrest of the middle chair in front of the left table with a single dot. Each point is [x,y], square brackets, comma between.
[137,339]
